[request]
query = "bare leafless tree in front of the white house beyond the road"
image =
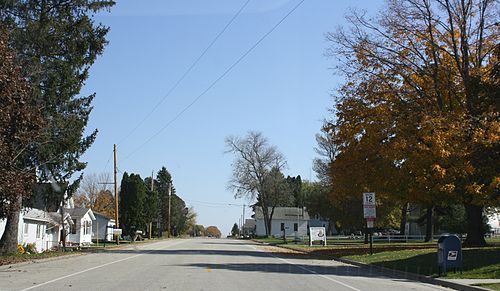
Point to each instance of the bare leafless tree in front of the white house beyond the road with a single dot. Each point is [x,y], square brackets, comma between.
[253,160]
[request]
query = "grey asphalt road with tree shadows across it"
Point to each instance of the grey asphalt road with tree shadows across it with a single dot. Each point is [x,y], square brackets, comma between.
[196,264]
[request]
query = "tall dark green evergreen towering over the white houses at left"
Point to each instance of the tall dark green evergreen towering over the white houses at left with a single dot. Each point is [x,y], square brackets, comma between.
[56,43]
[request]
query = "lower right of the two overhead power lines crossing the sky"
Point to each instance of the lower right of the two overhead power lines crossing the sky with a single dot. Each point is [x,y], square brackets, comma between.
[217,79]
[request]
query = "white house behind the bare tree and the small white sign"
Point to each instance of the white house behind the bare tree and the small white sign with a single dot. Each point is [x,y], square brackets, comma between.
[291,221]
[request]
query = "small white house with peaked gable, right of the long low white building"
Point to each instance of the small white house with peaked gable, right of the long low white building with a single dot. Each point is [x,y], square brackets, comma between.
[81,231]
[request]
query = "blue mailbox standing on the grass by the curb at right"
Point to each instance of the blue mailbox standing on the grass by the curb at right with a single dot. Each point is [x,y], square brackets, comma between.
[449,253]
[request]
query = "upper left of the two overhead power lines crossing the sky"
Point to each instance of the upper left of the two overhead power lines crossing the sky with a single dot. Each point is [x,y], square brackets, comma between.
[185,73]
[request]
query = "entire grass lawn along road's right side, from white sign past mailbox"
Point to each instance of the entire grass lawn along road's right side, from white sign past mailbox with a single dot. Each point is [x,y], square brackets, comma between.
[415,257]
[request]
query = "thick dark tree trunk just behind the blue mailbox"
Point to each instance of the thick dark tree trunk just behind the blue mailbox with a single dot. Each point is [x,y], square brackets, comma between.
[475,228]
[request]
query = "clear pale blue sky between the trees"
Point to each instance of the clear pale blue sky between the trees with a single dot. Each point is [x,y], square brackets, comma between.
[281,88]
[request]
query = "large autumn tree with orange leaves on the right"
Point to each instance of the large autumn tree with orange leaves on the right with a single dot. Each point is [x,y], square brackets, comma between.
[417,119]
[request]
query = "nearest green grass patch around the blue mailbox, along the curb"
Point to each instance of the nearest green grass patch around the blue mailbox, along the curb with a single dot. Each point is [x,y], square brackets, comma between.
[478,263]
